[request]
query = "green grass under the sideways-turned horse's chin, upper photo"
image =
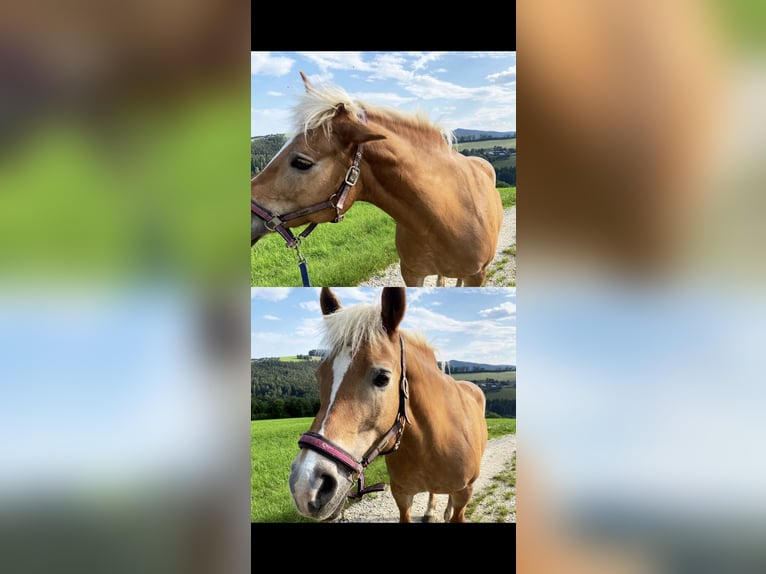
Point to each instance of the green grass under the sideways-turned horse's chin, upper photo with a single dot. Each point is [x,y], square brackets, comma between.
[337,254]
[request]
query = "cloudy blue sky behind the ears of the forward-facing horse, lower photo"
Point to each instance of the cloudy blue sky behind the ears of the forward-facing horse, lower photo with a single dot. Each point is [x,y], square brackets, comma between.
[463,324]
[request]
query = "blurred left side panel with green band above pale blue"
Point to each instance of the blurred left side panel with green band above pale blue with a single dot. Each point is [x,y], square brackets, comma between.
[124,286]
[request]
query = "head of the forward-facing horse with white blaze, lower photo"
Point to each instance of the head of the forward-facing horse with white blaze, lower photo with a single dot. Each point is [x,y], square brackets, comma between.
[361,413]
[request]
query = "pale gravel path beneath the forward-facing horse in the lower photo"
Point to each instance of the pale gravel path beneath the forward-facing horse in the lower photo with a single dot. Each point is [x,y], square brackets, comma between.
[498,458]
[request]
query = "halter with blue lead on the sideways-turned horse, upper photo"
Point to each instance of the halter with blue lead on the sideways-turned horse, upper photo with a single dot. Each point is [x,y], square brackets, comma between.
[275,222]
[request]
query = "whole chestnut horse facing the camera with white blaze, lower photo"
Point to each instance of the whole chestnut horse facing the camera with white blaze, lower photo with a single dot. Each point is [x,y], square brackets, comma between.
[382,393]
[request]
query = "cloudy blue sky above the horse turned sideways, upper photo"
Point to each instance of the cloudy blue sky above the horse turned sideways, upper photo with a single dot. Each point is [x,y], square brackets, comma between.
[471,90]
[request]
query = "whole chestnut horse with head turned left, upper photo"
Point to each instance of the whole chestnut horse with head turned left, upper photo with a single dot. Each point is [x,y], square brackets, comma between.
[447,210]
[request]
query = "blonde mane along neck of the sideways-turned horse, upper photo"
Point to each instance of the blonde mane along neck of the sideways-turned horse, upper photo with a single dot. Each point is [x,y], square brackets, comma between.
[319,104]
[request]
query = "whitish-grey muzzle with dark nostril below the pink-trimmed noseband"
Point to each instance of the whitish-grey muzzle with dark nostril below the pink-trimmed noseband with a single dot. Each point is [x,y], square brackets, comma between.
[318,486]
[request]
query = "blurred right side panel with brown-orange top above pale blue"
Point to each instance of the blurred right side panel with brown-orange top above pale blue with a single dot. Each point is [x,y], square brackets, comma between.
[641,260]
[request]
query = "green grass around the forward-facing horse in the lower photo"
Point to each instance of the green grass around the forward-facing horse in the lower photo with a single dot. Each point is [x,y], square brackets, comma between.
[274,445]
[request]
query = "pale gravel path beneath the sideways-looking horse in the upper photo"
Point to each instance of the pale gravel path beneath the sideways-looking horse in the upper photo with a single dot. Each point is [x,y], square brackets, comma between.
[502,271]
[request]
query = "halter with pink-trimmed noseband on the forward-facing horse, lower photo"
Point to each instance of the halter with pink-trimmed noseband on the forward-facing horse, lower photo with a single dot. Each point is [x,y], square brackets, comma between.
[317,442]
